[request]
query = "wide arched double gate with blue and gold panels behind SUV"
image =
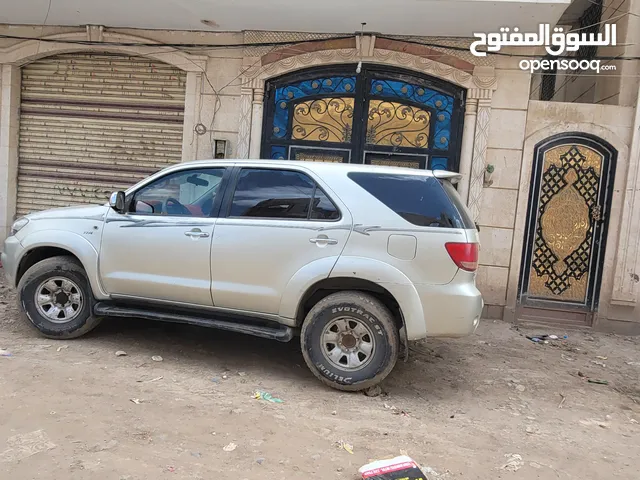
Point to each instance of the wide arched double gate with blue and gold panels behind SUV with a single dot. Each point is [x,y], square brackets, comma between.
[378,116]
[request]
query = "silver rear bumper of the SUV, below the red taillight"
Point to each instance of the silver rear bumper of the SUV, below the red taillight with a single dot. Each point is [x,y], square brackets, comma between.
[452,310]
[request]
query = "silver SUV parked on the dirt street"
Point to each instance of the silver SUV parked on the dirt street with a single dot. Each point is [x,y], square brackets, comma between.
[355,259]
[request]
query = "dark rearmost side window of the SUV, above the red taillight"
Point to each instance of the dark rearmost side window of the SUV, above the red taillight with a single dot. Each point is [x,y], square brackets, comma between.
[422,201]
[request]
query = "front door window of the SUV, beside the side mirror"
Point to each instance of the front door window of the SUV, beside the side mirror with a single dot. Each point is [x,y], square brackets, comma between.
[186,193]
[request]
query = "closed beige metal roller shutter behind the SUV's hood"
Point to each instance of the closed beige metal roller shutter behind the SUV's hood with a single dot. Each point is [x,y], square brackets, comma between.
[94,123]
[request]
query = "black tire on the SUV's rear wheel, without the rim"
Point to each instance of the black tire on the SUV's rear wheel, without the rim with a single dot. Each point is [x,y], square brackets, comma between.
[368,311]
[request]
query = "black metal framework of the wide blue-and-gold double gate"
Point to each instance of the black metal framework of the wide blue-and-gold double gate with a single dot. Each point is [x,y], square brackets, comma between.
[362,96]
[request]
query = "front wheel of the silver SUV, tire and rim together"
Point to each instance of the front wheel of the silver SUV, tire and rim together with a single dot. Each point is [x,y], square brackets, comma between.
[56,298]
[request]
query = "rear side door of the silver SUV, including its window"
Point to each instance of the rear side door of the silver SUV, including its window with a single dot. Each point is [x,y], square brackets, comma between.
[275,222]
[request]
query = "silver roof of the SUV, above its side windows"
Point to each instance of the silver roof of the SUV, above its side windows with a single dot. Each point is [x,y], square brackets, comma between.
[320,167]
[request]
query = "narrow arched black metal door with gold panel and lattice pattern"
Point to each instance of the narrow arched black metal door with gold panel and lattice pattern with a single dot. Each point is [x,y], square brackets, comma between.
[568,215]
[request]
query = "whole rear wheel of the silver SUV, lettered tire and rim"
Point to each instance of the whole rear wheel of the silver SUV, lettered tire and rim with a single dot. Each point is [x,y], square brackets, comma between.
[350,341]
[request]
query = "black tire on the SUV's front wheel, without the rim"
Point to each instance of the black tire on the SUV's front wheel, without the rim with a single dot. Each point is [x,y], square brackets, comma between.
[61,267]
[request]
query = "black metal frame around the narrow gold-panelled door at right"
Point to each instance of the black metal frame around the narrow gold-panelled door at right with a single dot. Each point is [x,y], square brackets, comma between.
[598,246]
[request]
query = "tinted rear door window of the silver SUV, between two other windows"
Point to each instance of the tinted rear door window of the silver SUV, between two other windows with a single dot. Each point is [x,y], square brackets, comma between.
[284,194]
